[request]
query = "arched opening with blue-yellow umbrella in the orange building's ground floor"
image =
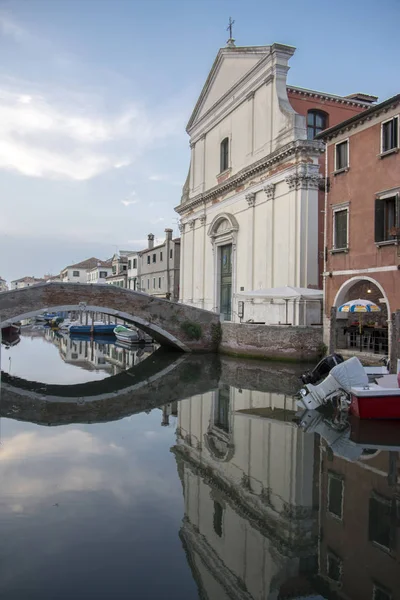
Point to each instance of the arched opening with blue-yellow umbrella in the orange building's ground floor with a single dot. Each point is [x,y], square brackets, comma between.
[363,332]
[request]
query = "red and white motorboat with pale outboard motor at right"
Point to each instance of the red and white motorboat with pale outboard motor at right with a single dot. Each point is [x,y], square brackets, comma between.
[366,392]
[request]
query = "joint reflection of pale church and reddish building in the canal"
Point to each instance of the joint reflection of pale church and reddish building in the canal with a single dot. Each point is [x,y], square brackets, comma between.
[272,514]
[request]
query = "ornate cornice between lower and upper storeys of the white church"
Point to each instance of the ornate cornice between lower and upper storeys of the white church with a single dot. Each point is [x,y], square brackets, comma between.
[280,154]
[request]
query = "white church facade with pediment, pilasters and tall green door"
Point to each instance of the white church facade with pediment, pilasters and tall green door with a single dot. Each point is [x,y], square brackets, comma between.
[249,208]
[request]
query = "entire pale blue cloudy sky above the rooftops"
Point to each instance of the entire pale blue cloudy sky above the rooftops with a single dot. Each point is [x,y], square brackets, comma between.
[95,95]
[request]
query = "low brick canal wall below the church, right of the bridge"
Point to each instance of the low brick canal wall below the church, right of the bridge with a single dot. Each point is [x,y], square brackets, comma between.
[273,342]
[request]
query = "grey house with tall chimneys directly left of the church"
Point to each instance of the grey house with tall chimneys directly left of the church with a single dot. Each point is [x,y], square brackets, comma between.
[159,267]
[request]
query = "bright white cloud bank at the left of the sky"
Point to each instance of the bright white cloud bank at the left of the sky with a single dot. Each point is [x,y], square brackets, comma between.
[41,137]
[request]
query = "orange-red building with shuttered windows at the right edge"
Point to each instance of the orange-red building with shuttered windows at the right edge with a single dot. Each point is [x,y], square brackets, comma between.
[362,214]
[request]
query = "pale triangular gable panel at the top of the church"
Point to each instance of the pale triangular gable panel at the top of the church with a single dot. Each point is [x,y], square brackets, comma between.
[230,66]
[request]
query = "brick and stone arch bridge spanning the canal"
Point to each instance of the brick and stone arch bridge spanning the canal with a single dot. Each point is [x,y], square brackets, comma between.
[179,326]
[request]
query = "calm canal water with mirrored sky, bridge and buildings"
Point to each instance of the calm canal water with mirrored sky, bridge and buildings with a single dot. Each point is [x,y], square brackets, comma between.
[147,475]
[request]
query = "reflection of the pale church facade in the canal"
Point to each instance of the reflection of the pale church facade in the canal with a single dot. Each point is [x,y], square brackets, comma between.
[250,522]
